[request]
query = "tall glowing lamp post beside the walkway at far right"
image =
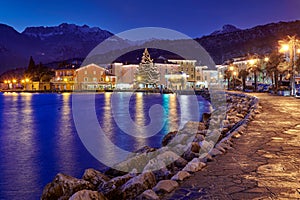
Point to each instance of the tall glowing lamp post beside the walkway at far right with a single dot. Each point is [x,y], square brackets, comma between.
[291,48]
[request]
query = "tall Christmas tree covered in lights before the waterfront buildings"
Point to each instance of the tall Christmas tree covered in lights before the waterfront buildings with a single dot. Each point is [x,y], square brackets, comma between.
[147,72]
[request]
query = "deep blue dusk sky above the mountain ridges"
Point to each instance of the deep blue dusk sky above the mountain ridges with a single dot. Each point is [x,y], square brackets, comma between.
[192,17]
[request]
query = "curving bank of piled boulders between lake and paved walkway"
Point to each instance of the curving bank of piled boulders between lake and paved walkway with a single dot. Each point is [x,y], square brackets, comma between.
[148,181]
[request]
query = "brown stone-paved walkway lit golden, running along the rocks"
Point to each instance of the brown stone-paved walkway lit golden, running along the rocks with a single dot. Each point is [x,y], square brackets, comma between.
[265,161]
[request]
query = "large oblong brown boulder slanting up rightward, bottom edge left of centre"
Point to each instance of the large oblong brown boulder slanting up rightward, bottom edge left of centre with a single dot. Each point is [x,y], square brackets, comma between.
[137,185]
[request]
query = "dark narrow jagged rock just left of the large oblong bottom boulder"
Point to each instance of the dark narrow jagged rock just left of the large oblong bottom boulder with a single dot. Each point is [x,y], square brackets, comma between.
[111,188]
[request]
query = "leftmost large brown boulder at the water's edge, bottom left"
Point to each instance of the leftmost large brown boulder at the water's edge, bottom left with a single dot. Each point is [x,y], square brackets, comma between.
[64,186]
